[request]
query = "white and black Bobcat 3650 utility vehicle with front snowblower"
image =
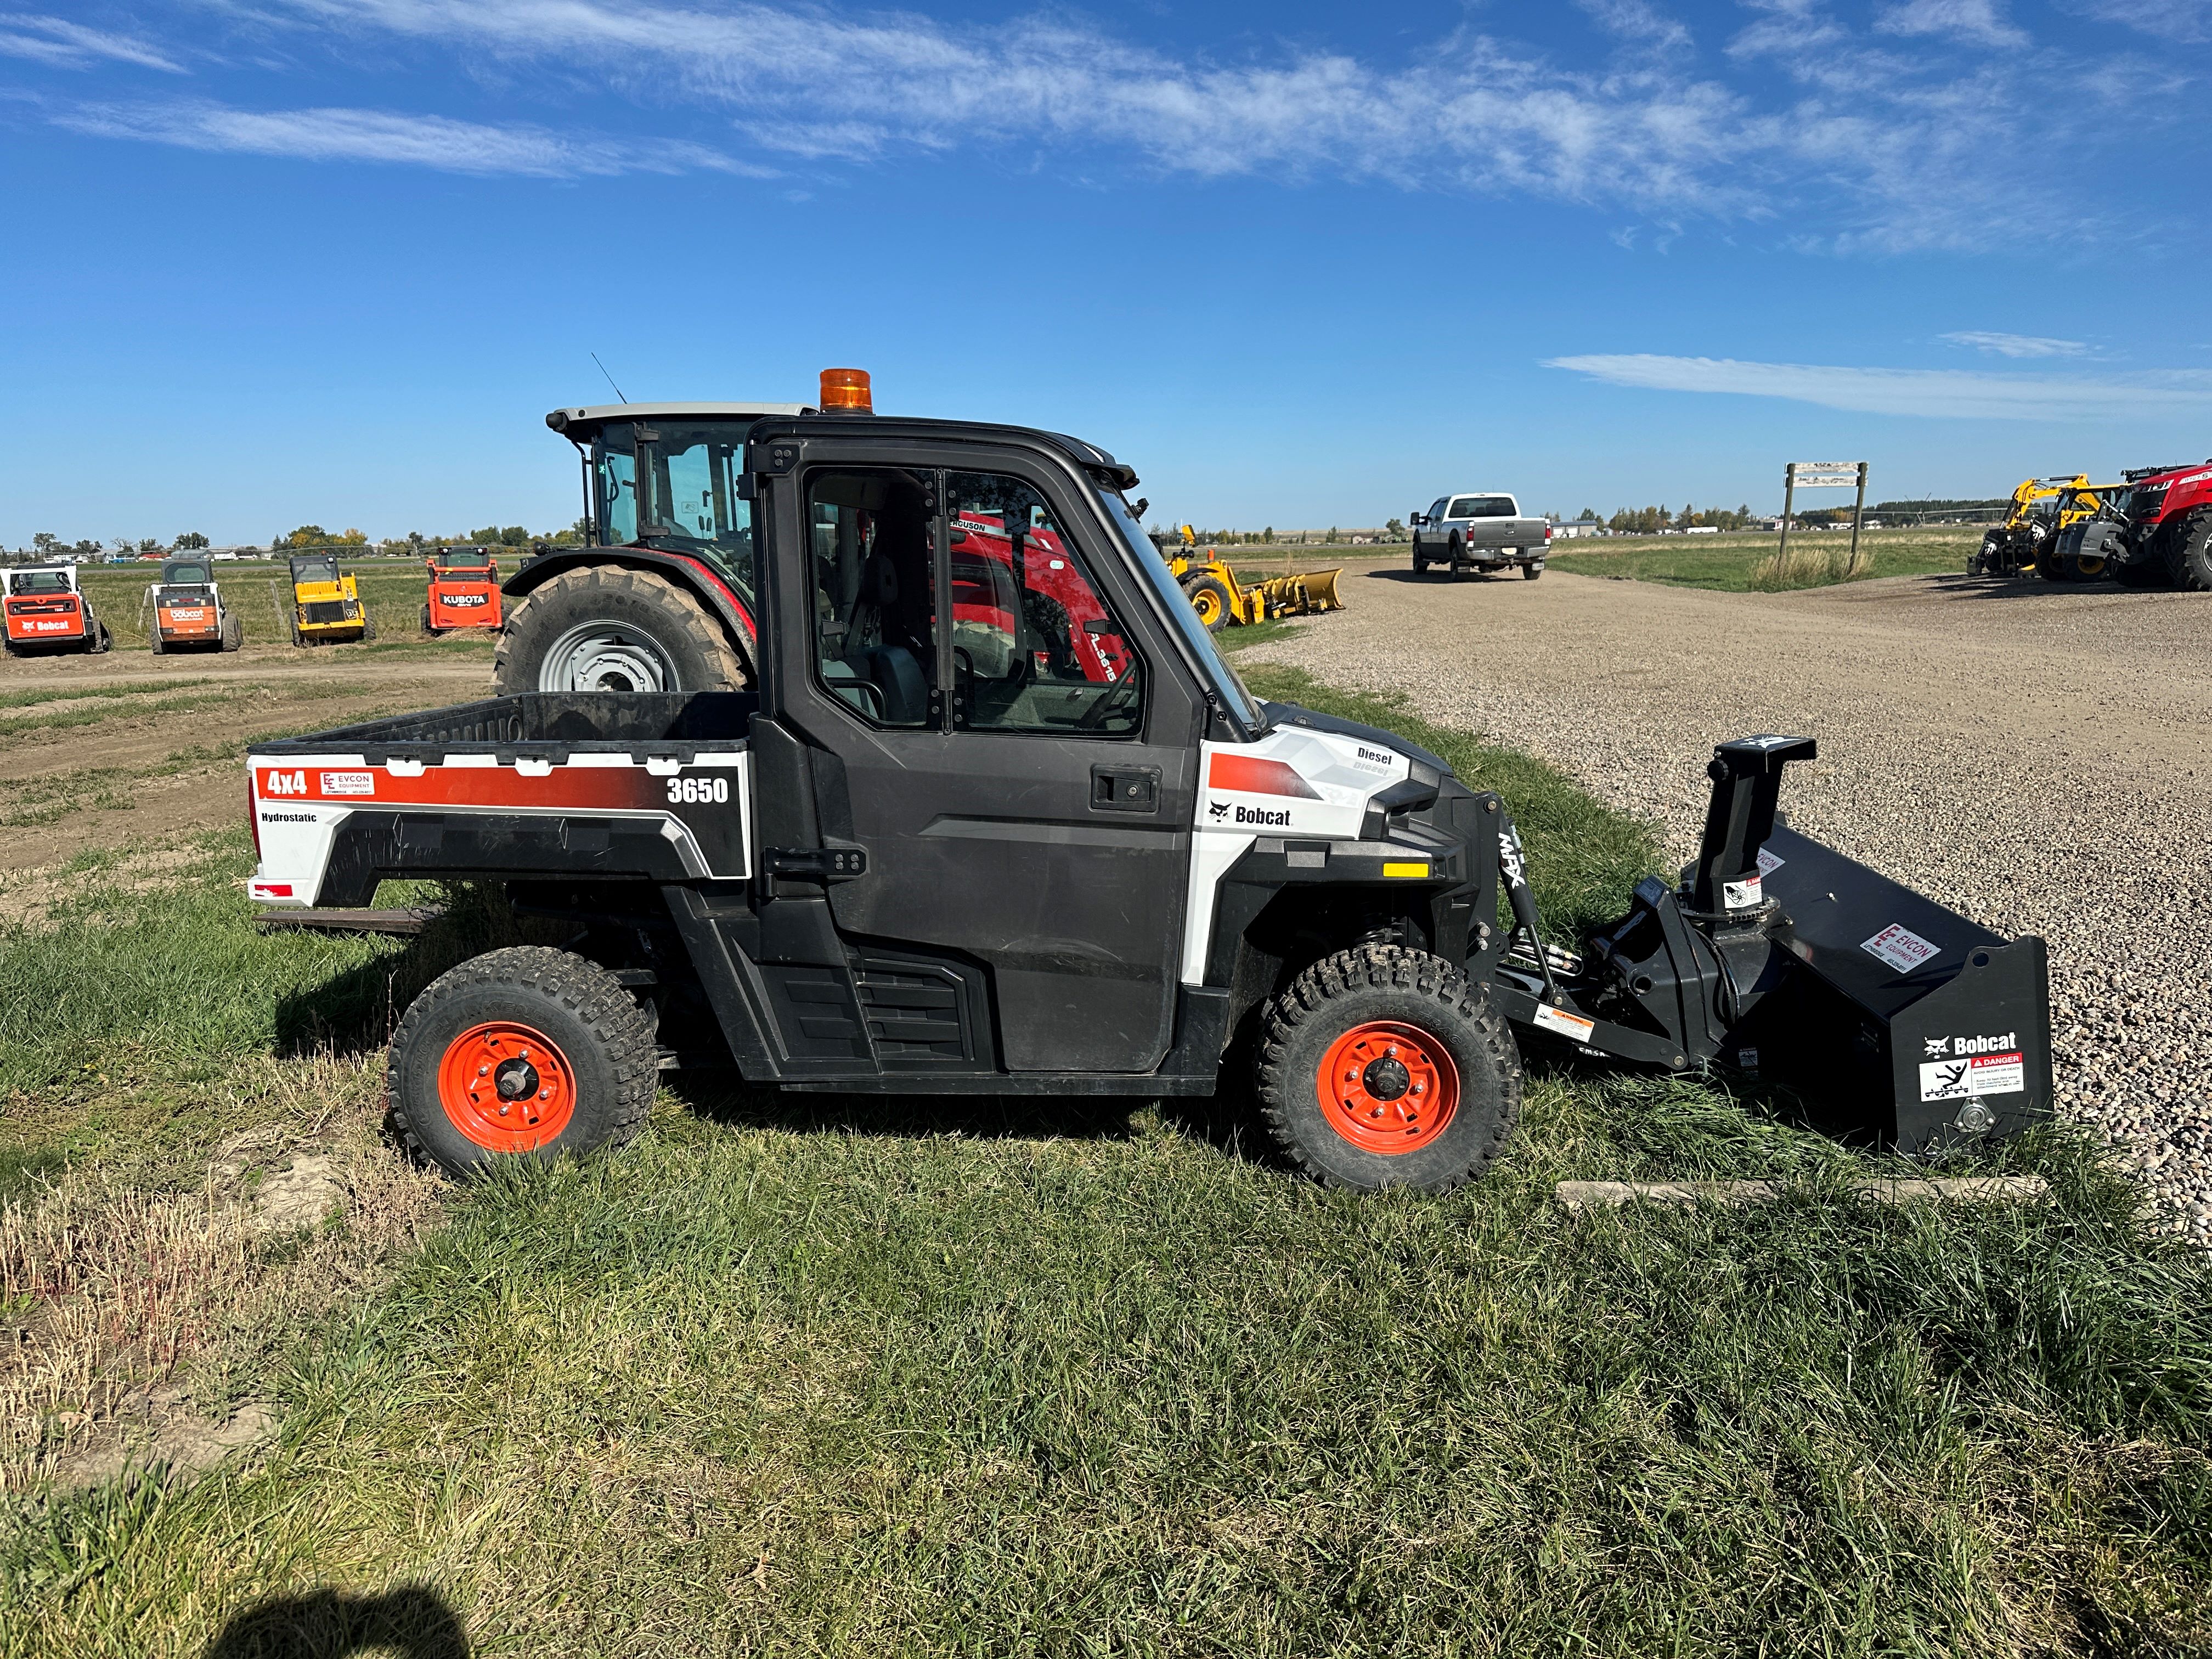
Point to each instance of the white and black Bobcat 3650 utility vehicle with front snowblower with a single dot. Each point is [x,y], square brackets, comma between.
[943,848]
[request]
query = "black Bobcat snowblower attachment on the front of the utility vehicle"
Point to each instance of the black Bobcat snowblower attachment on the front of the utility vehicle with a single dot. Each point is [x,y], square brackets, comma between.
[1784,959]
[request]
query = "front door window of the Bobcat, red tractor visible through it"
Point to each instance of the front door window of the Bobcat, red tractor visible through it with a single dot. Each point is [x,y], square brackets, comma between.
[1036,649]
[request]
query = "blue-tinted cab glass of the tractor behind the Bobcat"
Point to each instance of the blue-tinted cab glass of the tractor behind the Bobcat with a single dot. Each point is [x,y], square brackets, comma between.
[689,497]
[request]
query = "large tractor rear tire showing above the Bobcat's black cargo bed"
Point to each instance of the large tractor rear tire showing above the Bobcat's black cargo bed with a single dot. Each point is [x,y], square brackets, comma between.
[605,627]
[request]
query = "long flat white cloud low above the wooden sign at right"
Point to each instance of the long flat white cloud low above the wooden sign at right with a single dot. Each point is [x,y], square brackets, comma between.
[1963,395]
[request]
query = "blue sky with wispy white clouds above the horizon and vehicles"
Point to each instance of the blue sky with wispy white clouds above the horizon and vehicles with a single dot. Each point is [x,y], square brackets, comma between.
[1300,264]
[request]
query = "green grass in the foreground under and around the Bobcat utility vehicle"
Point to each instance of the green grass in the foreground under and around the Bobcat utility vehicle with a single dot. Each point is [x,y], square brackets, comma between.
[824,1377]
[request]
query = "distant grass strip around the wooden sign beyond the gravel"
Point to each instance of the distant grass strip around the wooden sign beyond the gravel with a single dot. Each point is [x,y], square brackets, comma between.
[1744,563]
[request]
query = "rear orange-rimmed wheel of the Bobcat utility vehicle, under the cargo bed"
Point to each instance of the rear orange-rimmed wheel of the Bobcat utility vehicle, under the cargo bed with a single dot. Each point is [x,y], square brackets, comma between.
[521,1054]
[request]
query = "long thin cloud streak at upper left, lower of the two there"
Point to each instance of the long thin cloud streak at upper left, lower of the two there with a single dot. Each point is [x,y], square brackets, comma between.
[386,136]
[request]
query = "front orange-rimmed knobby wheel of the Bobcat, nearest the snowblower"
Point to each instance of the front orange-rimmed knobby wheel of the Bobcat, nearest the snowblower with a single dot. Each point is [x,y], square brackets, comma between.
[1388,1067]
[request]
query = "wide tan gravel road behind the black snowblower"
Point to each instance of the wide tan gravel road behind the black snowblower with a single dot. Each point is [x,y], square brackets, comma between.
[2038,758]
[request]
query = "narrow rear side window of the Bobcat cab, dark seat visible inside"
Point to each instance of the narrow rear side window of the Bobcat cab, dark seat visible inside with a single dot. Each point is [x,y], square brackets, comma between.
[873,594]
